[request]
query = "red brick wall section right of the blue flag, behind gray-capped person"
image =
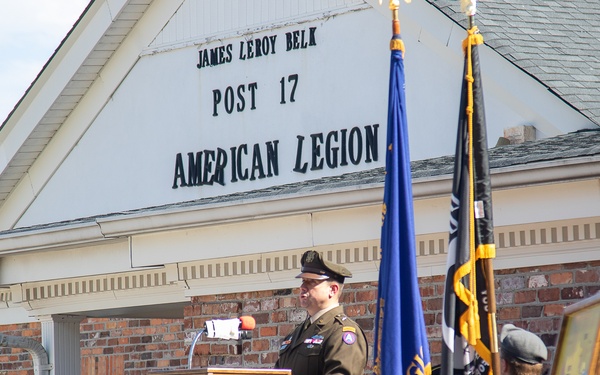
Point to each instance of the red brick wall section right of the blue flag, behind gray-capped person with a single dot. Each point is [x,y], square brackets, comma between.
[532,298]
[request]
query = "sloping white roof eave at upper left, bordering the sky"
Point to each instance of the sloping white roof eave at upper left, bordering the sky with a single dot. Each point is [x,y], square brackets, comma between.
[62,83]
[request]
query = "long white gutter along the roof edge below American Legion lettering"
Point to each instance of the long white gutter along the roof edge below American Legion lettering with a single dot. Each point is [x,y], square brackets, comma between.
[122,225]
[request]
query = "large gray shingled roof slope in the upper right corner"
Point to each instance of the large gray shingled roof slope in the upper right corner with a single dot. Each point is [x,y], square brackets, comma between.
[556,42]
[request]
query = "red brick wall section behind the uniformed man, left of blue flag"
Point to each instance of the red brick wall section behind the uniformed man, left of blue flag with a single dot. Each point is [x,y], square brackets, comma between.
[276,314]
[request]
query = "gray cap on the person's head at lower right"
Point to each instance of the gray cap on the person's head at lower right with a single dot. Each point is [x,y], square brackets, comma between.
[522,345]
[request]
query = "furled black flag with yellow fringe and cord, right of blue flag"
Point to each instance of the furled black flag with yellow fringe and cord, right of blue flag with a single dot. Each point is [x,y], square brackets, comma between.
[469,327]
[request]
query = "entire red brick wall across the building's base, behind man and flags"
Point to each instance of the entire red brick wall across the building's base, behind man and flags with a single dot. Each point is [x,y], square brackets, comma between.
[532,298]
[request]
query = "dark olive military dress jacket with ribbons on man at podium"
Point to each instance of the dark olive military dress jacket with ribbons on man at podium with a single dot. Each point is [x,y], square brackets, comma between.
[334,344]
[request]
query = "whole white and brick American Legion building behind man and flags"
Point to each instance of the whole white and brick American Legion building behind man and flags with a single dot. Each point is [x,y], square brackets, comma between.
[174,159]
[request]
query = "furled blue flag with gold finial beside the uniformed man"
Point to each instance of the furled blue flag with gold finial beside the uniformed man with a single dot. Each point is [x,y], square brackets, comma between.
[400,340]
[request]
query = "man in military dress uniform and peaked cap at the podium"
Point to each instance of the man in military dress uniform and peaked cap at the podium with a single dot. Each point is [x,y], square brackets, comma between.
[328,342]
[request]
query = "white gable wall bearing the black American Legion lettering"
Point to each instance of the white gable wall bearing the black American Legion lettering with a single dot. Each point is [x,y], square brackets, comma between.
[261,94]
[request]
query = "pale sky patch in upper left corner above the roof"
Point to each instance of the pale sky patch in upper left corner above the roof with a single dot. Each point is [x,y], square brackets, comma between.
[30,32]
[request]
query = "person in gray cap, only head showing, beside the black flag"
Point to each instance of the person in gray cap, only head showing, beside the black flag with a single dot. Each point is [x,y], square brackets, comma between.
[521,352]
